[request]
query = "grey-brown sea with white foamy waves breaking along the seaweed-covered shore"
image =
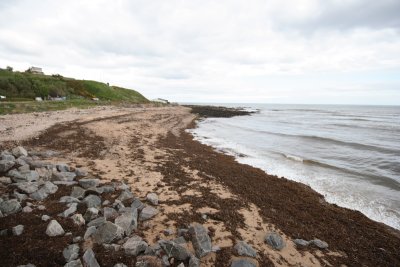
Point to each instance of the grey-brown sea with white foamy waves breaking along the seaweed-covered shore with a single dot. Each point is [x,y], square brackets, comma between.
[349,154]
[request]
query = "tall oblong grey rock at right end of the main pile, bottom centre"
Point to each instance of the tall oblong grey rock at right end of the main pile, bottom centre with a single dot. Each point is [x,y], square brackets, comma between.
[200,240]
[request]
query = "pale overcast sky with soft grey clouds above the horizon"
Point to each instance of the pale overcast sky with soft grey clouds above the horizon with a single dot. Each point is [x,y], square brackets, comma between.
[226,51]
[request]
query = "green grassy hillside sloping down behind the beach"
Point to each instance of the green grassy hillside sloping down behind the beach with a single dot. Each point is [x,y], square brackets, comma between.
[27,86]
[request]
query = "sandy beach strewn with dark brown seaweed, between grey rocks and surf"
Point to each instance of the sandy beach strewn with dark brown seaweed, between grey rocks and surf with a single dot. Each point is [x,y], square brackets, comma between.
[192,180]
